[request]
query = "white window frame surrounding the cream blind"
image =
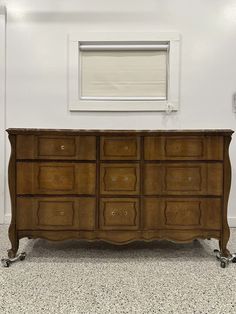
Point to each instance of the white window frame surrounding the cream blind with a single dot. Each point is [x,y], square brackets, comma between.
[77,103]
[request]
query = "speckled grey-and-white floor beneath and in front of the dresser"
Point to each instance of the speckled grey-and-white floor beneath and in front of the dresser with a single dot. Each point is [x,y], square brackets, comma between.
[94,278]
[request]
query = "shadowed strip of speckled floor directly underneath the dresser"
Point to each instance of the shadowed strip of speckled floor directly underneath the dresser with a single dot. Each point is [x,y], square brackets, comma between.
[72,251]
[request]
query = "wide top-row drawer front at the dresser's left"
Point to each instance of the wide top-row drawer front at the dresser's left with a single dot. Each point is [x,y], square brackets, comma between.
[56,147]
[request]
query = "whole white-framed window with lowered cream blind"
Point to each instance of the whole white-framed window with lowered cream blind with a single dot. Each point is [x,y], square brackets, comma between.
[113,72]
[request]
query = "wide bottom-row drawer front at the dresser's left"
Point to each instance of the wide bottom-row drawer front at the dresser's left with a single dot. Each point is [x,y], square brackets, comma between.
[55,213]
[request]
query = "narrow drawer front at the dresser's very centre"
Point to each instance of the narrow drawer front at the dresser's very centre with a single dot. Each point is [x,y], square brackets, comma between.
[119,179]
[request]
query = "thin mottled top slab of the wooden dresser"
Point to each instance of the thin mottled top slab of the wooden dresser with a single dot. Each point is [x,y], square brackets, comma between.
[117,132]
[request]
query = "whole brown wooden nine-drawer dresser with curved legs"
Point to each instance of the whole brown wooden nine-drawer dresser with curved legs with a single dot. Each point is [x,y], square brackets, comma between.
[119,186]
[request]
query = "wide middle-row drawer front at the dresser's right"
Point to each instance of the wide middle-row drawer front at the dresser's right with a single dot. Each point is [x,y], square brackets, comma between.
[183,178]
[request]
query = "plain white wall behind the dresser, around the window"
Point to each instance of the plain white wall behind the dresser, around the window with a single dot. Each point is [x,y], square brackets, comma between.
[37,63]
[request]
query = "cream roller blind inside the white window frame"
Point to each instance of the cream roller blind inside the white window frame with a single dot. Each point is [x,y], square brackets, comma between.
[123,73]
